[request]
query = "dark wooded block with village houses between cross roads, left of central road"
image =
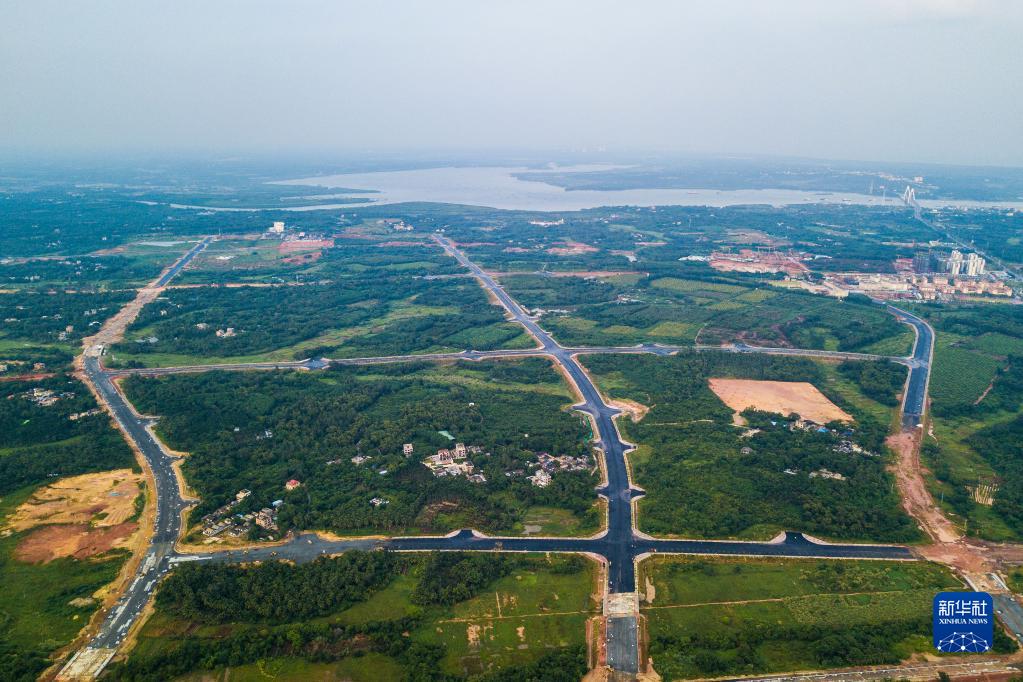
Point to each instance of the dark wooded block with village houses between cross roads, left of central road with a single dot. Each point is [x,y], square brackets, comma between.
[257,431]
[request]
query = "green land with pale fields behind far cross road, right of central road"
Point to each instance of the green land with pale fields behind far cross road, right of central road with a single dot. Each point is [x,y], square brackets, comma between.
[705,307]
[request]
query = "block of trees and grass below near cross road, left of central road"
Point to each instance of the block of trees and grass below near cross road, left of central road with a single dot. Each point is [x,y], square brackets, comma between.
[464,617]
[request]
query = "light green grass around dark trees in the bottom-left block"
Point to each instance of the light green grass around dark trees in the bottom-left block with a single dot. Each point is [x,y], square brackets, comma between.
[533,611]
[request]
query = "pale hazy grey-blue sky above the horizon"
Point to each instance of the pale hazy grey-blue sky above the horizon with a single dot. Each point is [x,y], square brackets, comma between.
[908,80]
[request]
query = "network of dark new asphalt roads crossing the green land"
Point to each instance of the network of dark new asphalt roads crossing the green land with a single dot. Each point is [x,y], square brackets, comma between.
[619,548]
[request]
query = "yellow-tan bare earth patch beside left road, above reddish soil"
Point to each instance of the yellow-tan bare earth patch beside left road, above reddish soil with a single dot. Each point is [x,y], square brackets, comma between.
[102,501]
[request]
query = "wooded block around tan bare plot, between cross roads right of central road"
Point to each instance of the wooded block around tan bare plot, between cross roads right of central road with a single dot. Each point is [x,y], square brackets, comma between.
[706,477]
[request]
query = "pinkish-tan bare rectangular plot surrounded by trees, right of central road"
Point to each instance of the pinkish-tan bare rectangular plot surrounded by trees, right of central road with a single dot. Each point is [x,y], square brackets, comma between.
[782,397]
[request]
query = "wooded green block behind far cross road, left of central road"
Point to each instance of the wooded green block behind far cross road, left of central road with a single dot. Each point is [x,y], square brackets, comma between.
[367,316]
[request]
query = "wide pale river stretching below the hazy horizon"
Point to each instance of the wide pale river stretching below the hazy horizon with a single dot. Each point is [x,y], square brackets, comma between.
[498,188]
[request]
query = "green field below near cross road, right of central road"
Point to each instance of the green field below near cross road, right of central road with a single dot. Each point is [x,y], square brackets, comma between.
[716,617]
